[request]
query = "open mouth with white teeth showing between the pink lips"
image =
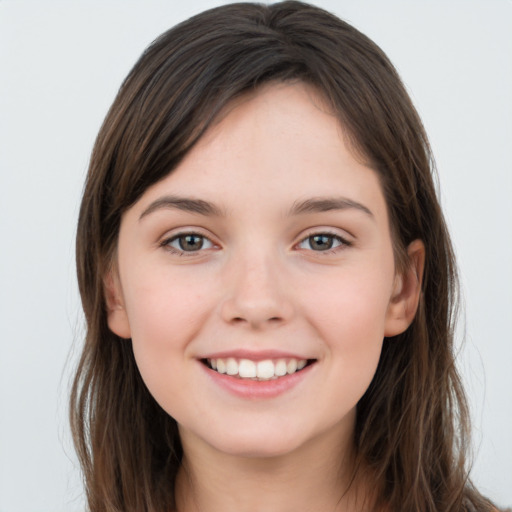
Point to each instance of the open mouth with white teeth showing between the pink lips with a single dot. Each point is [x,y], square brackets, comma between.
[266,369]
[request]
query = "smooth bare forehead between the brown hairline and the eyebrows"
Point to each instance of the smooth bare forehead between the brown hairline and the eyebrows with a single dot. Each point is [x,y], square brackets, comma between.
[279,144]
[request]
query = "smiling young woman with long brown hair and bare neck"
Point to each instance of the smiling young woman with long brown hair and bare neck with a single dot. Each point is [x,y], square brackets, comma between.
[268,282]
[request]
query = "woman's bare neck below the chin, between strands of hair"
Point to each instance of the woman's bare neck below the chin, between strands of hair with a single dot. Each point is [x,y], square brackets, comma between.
[315,477]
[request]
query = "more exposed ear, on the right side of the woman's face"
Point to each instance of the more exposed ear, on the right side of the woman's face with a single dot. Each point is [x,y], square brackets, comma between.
[406,291]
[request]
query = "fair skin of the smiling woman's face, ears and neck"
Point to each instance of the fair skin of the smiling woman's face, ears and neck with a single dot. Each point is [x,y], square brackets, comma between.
[259,283]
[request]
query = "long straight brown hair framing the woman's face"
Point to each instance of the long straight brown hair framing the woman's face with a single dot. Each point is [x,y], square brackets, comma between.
[412,423]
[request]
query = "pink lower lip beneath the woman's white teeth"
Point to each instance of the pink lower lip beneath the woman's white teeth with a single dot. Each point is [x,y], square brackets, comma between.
[258,389]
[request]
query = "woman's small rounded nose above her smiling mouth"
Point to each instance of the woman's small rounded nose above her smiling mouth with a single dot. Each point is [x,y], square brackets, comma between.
[257,296]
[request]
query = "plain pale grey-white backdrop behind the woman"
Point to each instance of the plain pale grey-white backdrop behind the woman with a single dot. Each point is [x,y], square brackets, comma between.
[61,64]
